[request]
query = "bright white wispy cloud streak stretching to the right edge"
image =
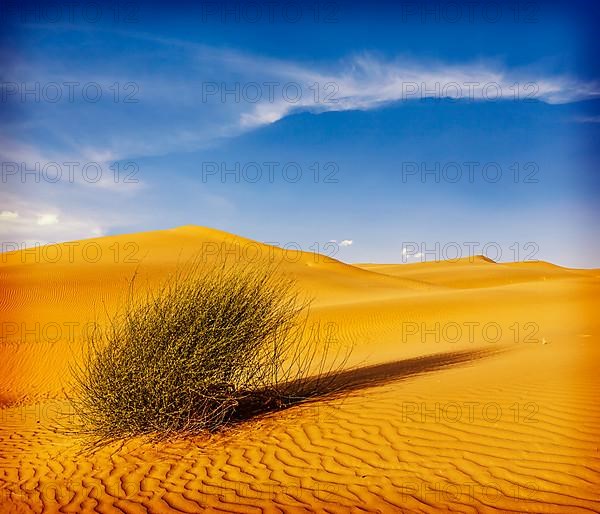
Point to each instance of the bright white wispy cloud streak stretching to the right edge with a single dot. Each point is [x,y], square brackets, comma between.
[366,82]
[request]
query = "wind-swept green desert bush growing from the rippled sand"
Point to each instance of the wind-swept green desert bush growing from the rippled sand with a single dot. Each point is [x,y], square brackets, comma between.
[208,347]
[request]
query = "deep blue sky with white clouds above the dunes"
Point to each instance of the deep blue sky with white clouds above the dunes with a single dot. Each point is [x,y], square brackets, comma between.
[385,126]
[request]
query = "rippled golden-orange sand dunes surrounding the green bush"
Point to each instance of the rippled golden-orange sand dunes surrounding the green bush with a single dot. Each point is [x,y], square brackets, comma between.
[472,387]
